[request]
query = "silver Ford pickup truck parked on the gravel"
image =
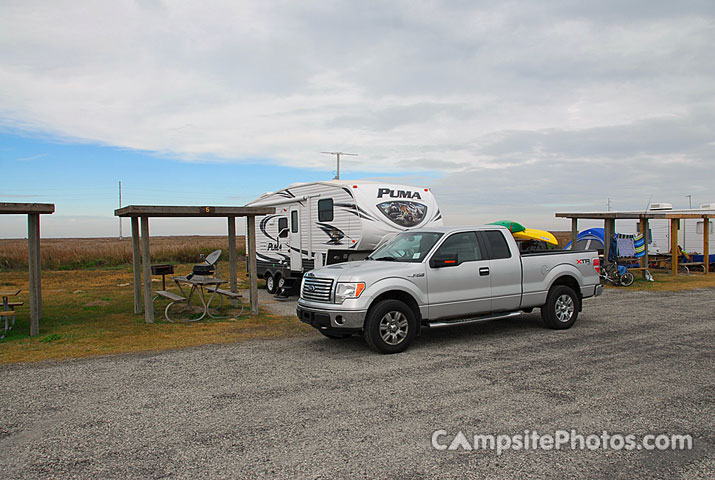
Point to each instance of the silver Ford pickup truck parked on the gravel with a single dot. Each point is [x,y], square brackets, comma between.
[445,276]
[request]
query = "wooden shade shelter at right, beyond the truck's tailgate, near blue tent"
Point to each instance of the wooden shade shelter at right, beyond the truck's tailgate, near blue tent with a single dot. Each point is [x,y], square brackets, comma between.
[674,216]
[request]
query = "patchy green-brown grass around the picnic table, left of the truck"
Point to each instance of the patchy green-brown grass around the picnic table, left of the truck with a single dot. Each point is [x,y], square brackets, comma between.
[100,319]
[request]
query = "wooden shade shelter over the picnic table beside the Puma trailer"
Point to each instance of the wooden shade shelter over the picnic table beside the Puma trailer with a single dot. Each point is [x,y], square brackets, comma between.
[142,258]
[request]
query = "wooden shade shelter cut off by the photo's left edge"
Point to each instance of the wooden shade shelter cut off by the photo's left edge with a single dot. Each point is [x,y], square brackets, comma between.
[33,212]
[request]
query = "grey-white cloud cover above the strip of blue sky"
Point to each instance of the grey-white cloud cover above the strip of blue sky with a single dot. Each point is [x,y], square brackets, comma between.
[466,88]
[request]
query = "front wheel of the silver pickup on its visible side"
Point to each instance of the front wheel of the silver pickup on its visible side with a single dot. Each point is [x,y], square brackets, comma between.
[390,326]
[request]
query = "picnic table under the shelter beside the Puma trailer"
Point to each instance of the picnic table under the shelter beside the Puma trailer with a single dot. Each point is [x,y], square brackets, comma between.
[201,286]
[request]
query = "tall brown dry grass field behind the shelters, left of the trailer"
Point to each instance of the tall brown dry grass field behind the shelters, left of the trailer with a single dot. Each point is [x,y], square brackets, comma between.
[74,253]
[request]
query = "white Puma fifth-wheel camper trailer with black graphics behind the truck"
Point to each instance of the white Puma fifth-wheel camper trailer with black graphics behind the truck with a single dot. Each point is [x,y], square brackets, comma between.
[321,223]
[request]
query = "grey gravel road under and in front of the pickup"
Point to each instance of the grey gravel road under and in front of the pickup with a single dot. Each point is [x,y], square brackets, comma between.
[309,407]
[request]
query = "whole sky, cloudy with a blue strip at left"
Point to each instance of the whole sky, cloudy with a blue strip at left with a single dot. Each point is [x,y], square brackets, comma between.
[506,110]
